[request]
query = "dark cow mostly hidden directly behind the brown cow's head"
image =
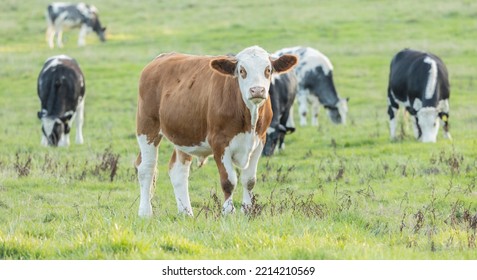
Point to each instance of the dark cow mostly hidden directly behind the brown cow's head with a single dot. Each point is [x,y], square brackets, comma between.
[282,94]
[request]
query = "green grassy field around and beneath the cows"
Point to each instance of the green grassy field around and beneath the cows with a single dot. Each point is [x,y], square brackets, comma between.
[336,192]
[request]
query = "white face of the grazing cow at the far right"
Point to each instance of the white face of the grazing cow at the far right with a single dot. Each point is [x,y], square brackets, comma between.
[428,124]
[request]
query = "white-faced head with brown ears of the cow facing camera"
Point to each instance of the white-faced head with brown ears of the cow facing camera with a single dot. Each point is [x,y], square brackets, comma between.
[253,68]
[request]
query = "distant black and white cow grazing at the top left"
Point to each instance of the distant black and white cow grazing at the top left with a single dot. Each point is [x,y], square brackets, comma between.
[81,15]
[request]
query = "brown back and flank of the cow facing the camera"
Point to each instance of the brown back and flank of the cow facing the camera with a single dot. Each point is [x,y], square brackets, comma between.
[176,88]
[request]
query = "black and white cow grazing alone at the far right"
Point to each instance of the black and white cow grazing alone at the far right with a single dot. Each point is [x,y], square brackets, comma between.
[419,81]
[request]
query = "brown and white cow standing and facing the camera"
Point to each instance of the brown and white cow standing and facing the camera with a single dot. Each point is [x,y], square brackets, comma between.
[205,106]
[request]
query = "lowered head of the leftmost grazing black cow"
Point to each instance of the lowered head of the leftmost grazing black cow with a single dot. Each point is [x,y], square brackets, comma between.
[55,130]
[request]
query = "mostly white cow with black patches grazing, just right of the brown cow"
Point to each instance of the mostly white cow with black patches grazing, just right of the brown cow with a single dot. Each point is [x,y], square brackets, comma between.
[315,85]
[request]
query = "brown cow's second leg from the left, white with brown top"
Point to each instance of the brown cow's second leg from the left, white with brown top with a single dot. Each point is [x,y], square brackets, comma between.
[179,167]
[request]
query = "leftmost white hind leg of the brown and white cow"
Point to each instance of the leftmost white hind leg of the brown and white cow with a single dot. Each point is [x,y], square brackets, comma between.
[146,168]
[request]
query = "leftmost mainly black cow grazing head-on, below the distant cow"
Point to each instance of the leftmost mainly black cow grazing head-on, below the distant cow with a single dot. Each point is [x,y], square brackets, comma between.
[61,89]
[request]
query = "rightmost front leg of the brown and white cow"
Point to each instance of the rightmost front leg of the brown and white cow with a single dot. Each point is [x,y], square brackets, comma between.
[248,178]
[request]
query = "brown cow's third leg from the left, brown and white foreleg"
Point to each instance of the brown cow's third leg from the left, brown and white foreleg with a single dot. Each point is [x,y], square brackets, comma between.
[228,180]
